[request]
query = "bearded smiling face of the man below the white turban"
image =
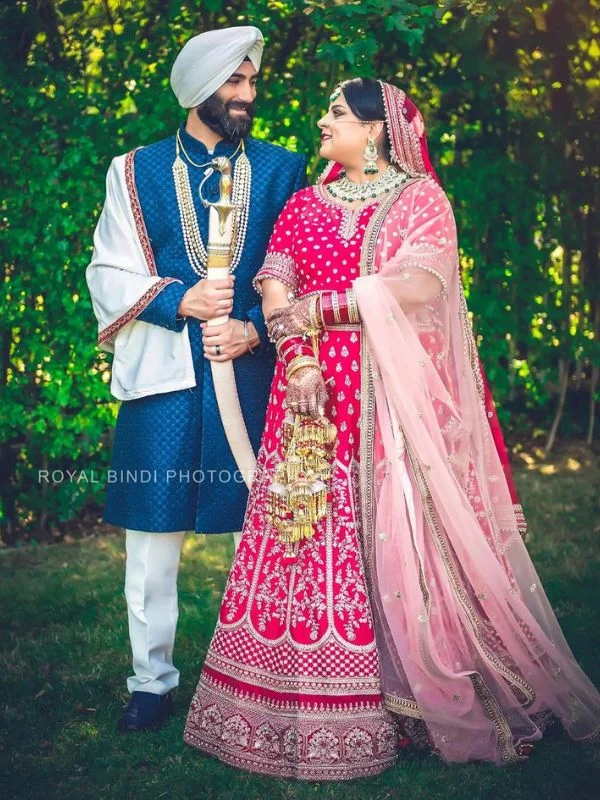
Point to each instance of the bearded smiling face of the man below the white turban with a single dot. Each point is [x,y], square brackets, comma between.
[230,110]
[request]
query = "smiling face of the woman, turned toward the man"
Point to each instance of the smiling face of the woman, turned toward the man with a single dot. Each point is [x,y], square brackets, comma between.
[343,135]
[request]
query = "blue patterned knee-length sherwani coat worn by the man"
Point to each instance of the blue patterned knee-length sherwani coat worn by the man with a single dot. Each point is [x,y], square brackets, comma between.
[172,468]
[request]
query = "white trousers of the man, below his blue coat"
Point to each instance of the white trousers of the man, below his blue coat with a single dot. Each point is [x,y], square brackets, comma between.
[152,606]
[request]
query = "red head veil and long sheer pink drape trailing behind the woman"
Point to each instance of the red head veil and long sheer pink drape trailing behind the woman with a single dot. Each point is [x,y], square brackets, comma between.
[468,642]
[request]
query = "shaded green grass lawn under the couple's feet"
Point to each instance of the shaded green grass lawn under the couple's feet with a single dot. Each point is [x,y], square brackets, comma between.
[64,659]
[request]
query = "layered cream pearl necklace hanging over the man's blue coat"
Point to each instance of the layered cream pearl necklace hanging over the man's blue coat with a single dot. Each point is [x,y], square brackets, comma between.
[240,197]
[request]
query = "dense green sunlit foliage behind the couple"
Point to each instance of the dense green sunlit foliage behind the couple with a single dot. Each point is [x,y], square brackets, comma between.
[509,90]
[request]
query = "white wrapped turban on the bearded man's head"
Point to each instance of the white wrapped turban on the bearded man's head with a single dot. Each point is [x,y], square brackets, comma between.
[206,61]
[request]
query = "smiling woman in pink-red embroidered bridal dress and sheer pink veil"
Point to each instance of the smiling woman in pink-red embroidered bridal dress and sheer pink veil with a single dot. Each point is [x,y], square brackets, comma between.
[409,607]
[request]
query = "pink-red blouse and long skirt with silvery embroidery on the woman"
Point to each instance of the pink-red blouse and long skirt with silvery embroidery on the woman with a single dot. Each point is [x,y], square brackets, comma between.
[290,685]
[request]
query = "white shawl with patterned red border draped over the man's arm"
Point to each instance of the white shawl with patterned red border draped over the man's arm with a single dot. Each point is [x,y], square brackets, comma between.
[122,279]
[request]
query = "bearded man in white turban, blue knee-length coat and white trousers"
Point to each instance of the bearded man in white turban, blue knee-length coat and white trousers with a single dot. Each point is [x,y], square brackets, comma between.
[172,468]
